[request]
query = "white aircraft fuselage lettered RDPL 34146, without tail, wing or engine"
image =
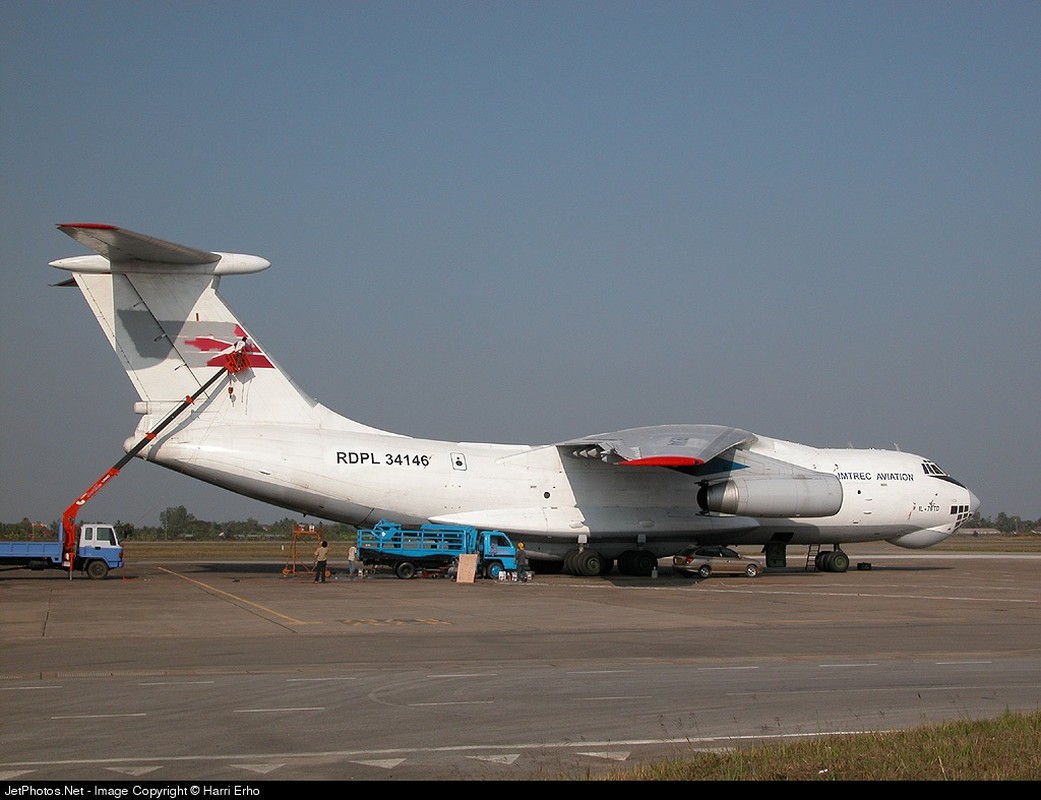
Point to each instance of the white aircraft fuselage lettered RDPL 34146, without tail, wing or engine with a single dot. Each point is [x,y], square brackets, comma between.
[555,504]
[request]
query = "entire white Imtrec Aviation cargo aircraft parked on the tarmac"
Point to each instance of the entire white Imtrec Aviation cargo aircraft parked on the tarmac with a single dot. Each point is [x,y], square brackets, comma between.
[215,406]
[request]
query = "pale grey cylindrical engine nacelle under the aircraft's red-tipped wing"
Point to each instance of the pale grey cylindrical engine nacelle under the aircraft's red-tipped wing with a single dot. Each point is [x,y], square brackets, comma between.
[810,496]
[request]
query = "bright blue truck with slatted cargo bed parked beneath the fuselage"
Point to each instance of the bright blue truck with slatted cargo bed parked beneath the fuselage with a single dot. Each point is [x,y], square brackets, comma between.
[436,549]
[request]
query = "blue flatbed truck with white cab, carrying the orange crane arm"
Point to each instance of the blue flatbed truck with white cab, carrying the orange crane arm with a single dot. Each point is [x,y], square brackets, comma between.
[97,551]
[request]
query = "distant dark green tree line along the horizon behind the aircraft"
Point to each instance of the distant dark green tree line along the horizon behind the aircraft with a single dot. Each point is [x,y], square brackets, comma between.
[177,523]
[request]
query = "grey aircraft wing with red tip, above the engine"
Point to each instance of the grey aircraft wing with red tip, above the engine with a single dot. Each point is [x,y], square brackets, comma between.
[659,445]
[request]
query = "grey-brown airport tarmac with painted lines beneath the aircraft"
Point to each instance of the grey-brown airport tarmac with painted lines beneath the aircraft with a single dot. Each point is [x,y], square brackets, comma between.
[181,671]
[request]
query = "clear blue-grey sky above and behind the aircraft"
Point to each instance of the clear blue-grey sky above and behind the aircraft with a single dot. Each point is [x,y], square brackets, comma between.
[530,221]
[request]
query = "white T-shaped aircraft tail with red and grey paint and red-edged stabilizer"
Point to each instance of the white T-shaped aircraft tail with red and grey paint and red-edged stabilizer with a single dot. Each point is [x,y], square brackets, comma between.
[159,305]
